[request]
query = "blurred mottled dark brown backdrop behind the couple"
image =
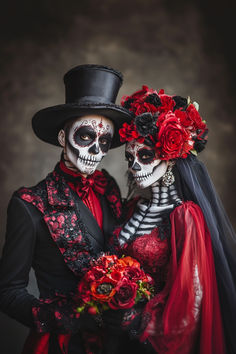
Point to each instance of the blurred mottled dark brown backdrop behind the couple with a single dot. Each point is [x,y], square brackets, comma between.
[185,47]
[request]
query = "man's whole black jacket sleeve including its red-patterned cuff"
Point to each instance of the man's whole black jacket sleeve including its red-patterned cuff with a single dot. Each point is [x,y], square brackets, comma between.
[58,315]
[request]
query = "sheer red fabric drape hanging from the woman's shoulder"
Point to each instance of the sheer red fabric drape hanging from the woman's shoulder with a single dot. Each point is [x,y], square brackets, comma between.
[178,323]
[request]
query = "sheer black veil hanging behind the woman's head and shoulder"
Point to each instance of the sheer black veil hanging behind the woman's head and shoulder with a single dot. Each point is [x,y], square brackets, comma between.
[195,184]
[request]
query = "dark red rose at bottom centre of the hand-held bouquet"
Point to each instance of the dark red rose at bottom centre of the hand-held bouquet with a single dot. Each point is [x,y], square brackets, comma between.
[125,295]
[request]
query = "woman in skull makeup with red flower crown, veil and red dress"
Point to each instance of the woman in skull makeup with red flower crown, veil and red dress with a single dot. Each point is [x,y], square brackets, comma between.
[180,235]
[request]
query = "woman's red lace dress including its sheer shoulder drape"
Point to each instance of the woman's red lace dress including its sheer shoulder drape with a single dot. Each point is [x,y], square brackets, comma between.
[184,315]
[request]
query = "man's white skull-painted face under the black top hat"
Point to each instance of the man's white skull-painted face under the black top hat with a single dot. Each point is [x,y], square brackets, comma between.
[88,140]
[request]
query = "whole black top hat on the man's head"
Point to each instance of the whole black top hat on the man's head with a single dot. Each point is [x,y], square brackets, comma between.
[90,89]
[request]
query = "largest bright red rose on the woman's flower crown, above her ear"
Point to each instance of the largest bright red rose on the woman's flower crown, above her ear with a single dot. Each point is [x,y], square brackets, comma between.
[173,139]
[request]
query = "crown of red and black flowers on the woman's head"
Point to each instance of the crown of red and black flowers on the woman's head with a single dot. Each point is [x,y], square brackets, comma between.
[170,123]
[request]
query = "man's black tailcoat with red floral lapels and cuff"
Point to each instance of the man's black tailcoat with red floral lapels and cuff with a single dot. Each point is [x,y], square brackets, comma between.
[50,229]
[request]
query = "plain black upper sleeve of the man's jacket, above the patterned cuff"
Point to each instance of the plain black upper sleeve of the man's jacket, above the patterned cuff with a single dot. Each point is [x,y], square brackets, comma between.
[16,263]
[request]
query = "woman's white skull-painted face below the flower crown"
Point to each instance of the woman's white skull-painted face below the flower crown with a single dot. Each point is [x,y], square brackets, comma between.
[143,164]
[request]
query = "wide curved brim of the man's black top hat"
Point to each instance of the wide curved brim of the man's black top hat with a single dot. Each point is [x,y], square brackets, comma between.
[47,122]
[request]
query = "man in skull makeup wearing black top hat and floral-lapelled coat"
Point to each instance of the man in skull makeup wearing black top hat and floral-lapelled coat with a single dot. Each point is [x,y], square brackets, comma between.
[61,224]
